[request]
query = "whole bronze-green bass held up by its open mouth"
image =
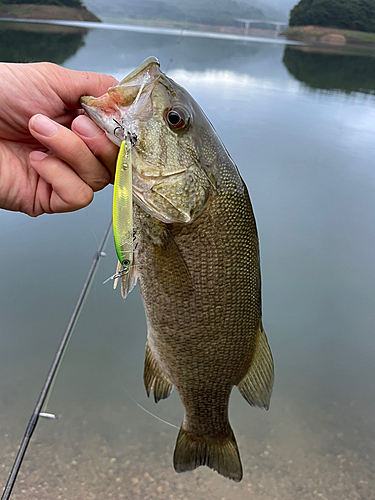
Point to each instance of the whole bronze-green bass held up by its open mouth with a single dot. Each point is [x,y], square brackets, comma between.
[196,260]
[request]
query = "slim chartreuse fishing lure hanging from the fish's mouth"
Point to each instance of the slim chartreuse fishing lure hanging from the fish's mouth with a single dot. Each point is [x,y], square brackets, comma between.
[123,207]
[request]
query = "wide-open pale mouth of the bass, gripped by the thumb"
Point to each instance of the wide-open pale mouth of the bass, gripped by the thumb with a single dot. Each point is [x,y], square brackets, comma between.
[118,111]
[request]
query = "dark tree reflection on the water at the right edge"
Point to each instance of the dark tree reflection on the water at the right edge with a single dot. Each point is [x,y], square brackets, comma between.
[345,73]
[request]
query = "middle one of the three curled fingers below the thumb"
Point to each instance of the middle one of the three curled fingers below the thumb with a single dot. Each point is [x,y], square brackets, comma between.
[67,146]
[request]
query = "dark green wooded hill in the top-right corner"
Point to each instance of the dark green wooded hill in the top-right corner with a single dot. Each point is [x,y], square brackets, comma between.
[345,14]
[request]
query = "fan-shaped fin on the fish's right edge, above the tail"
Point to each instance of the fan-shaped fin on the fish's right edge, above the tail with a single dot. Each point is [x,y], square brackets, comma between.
[256,385]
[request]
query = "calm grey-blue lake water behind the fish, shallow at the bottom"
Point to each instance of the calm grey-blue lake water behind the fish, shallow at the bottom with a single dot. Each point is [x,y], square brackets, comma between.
[300,125]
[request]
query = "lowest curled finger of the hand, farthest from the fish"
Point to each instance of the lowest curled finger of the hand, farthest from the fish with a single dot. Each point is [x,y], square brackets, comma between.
[62,190]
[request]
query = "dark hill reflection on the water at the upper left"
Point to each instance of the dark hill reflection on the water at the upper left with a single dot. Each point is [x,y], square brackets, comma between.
[23,43]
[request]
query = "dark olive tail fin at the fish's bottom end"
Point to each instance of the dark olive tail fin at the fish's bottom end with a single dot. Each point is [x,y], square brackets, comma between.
[220,454]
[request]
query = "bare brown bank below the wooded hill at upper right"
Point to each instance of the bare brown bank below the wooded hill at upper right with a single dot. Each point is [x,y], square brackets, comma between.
[318,35]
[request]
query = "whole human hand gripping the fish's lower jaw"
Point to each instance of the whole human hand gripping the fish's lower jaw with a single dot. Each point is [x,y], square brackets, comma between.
[32,181]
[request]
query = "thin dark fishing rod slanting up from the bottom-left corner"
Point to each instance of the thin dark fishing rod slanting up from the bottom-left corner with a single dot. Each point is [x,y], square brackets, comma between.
[39,410]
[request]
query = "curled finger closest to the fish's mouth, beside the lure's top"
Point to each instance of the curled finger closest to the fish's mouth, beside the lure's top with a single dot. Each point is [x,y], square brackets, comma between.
[97,141]
